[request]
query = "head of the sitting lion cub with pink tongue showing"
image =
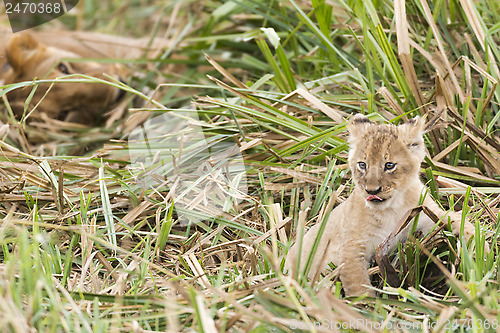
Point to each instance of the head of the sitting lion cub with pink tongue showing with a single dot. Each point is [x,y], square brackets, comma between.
[384,159]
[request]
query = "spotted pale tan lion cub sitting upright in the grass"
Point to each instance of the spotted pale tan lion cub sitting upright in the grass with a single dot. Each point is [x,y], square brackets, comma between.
[385,162]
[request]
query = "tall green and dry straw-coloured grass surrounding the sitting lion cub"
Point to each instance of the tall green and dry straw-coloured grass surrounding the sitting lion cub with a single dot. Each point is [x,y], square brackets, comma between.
[85,248]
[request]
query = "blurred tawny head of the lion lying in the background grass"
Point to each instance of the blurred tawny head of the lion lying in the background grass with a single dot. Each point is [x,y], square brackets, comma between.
[27,59]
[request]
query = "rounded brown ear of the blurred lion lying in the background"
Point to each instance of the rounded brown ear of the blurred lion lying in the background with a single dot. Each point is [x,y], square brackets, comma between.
[20,49]
